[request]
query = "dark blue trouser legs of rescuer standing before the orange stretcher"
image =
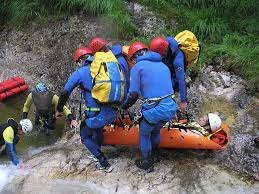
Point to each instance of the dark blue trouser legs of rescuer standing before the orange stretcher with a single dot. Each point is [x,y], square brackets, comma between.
[149,136]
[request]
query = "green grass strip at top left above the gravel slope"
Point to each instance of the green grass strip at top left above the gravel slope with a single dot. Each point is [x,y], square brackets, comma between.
[19,12]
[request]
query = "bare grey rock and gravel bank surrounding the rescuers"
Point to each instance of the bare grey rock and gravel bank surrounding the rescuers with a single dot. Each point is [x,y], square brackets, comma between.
[45,53]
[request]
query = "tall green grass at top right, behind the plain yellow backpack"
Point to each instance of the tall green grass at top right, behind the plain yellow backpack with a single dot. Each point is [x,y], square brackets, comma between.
[227,29]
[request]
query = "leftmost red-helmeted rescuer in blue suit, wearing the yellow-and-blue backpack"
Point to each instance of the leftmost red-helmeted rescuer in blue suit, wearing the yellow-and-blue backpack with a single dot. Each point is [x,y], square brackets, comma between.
[96,115]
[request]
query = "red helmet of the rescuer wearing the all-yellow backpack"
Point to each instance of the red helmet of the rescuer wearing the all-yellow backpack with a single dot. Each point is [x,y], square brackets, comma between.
[159,45]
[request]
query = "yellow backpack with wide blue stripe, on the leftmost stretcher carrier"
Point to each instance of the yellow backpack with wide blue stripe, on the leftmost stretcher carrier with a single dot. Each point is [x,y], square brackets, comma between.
[108,79]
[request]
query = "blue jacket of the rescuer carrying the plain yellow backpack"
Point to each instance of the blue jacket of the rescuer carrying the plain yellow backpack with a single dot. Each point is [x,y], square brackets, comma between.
[175,62]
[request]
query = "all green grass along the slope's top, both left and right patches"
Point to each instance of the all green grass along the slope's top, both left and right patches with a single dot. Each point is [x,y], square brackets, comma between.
[227,29]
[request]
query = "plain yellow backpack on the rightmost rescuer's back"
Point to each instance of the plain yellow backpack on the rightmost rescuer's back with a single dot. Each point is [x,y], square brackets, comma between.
[189,44]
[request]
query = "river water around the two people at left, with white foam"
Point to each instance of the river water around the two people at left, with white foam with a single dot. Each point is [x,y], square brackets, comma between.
[29,144]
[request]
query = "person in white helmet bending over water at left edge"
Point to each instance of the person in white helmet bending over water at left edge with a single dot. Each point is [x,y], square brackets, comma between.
[10,133]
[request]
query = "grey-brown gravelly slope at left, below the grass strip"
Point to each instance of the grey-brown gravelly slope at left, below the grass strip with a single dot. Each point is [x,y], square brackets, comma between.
[39,53]
